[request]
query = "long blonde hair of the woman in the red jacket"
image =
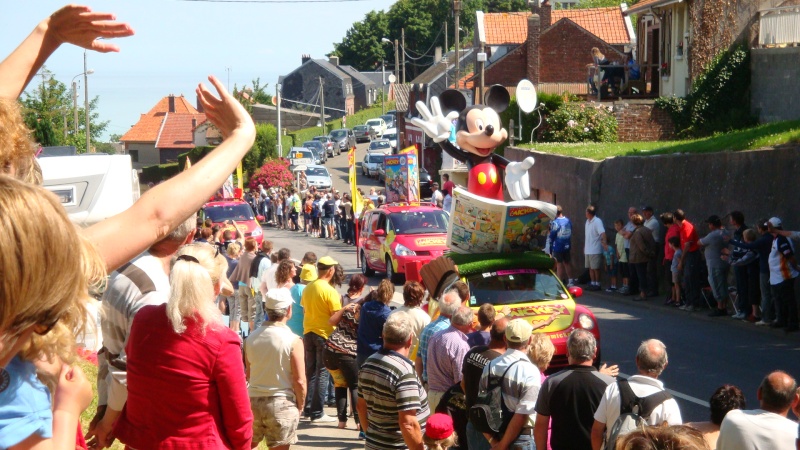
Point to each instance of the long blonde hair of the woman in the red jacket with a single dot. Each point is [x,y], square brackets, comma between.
[192,286]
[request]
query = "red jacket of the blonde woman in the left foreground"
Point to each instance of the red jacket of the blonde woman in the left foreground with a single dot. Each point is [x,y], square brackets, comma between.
[184,390]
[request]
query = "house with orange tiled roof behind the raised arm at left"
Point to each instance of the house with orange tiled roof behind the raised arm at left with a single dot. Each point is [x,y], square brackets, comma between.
[163,133]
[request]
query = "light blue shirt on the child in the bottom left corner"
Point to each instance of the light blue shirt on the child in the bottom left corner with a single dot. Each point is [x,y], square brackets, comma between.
[24,405]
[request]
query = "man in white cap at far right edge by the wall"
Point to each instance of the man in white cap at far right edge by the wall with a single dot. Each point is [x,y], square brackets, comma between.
[783,271]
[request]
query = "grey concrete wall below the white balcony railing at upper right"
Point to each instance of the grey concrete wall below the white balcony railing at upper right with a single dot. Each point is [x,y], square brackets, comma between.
[775,83]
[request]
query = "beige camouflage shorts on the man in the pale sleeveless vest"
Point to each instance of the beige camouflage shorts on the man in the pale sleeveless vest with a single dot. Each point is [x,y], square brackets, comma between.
[274,419]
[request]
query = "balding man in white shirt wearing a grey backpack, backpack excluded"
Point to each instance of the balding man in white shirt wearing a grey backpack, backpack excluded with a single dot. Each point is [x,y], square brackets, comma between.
[651,360]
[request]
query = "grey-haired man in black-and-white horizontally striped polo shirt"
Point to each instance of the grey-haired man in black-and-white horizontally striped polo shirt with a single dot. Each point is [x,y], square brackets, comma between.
[392,405]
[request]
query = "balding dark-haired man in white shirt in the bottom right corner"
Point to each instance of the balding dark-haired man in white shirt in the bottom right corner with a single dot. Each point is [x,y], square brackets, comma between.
[767,427]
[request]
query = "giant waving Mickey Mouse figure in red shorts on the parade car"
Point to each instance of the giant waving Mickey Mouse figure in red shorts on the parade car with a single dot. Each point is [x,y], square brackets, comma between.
[479,132]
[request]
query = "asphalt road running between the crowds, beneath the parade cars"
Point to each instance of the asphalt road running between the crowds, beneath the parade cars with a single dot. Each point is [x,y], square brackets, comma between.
[704,353]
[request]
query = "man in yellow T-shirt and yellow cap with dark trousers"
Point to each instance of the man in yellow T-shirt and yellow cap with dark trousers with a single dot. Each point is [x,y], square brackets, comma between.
[319,301]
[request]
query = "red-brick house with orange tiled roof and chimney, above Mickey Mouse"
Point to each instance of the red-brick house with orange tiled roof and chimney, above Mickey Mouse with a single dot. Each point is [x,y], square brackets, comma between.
[552,48]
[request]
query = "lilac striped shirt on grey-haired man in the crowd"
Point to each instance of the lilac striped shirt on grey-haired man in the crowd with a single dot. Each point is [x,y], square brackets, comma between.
[446,351]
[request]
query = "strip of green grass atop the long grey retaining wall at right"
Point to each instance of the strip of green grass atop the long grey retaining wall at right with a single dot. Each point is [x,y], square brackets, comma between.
[767,135]
